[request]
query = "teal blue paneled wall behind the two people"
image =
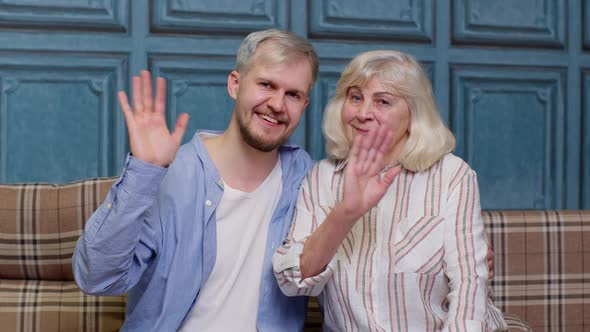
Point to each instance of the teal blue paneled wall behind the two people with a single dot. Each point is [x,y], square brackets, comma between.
[511,79]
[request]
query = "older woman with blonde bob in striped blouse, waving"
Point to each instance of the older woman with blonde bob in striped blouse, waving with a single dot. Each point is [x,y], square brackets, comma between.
[388,251]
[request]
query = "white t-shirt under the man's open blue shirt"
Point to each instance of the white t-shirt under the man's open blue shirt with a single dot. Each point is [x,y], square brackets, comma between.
[229,299]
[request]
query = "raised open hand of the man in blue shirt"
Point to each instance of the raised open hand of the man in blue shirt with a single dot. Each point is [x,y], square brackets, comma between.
[149,137]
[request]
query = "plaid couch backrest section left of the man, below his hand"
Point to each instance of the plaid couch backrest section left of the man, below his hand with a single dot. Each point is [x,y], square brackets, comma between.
[40,224]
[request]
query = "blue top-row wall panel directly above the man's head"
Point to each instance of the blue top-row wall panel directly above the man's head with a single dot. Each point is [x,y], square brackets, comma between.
[212,16]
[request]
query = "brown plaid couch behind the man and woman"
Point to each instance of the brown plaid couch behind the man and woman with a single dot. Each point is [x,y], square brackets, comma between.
[542,264]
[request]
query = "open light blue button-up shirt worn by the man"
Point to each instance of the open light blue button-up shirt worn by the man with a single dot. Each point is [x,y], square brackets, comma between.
[154,237]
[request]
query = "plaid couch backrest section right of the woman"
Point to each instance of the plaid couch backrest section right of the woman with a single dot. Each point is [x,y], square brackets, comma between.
[542,259]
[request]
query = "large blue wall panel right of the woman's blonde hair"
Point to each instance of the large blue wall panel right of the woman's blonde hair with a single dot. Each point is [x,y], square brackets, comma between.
[510,124]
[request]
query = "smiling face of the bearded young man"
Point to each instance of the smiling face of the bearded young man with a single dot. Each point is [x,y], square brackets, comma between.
[270,99]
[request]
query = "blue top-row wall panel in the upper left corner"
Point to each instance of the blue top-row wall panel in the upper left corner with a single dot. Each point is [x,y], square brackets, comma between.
[78,15]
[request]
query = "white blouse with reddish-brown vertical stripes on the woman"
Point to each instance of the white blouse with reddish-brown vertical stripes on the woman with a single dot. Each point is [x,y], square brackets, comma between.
[415,262]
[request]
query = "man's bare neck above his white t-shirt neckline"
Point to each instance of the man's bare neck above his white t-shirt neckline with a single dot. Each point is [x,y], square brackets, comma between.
[241,166]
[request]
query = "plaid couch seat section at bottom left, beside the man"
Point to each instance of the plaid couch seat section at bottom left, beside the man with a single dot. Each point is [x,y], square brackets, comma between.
[34,305]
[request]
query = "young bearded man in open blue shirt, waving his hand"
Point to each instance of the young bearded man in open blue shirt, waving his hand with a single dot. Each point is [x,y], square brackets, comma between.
[189,232]
